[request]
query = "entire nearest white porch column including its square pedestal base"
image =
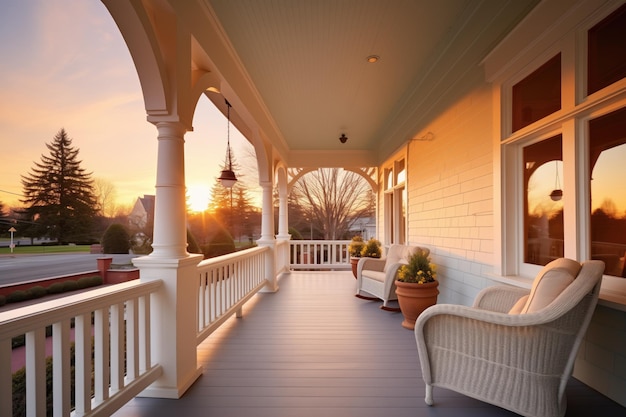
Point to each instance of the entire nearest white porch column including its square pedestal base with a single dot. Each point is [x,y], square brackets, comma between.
[173,309]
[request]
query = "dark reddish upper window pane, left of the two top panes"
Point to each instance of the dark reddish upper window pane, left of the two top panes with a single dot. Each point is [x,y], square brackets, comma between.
[537,95]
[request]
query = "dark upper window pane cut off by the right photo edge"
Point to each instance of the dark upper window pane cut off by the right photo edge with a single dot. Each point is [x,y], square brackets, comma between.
[607,51]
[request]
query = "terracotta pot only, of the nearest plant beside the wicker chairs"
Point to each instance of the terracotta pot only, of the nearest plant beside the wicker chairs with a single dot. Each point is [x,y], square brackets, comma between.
[415,298]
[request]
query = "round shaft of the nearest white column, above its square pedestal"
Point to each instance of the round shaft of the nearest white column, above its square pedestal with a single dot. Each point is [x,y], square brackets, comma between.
[170,230]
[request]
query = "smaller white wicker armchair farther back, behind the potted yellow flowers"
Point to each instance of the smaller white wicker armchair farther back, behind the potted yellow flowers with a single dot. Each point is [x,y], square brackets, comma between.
[377,276]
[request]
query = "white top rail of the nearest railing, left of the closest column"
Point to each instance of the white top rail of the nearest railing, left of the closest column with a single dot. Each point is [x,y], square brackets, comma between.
[23,319]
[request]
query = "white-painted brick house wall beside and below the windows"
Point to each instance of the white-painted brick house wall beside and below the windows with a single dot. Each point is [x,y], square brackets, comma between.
[450,210]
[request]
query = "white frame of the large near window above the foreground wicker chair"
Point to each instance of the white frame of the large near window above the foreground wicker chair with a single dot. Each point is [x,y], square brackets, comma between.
[572,122]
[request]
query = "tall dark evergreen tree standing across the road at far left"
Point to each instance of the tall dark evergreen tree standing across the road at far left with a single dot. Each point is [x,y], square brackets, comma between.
[59,197]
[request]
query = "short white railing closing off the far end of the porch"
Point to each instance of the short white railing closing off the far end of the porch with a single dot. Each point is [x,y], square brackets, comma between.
[319,254]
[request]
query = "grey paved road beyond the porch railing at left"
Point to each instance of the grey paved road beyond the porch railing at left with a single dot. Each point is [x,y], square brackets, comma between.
[18,268]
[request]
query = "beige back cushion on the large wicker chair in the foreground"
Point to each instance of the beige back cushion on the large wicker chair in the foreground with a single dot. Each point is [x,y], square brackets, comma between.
[547,286]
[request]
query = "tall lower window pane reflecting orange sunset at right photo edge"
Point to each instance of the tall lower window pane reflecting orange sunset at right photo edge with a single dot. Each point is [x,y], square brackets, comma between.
[607,137]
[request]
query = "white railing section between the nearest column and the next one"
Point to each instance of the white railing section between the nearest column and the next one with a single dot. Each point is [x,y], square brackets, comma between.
[225,284]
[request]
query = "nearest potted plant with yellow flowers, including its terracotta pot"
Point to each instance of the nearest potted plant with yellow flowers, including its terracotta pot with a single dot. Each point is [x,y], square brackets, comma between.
[416,287]
